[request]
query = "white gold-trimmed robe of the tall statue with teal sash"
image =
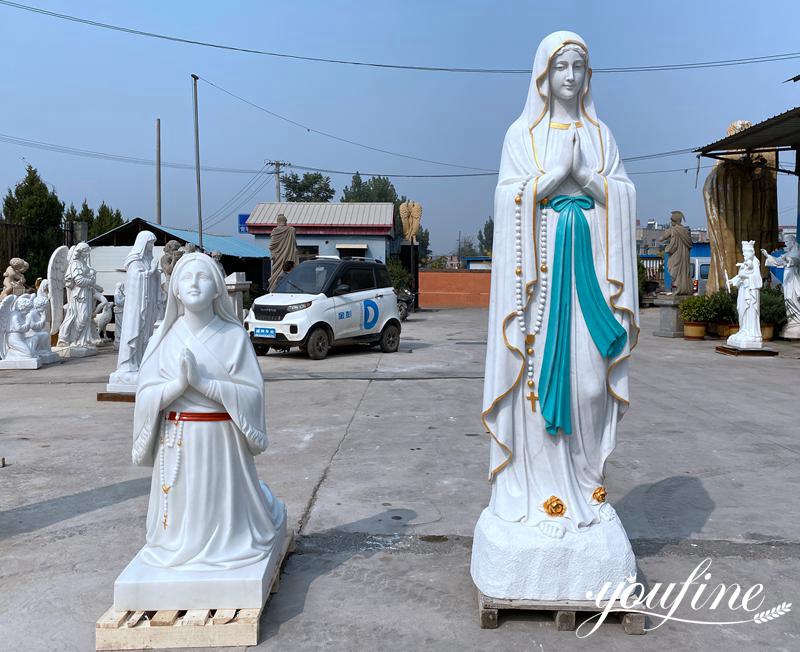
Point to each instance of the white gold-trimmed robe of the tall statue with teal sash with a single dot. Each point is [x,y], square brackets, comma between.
[528,464]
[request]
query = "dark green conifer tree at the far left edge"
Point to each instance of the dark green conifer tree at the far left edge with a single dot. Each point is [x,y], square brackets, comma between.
[33,205]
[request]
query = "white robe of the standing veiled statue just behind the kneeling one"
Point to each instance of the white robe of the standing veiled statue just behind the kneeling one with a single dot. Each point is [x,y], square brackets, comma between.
[142,292]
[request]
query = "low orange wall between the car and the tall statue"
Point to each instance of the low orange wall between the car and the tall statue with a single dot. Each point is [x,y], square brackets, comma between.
[456,288]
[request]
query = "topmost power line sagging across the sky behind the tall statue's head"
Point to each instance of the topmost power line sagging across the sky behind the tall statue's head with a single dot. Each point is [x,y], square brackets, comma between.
[496,71]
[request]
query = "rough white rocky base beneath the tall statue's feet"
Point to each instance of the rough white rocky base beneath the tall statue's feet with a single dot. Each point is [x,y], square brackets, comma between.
[514,561]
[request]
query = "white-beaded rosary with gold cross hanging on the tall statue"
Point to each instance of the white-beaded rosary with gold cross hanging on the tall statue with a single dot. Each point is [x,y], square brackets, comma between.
[537,324]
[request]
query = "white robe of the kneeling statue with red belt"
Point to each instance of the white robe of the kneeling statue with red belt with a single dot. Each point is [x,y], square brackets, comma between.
[220,515]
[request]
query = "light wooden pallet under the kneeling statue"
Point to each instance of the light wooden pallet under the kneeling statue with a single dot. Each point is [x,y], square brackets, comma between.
[147,630]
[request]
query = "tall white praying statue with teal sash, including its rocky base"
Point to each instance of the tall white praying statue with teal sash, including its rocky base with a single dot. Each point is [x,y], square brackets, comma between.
[563,319]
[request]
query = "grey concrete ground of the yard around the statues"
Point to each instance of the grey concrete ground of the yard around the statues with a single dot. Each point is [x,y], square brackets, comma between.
[382,462]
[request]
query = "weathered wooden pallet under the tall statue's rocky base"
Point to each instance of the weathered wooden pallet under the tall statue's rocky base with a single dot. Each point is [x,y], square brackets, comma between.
[563,612]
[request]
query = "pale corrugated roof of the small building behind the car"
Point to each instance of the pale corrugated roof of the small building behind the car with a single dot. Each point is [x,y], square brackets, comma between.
[340,214]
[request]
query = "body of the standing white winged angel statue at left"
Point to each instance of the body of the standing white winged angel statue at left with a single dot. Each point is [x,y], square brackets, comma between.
[77,330]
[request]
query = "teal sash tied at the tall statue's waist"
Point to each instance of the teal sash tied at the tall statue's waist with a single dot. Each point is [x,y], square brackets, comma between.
[573,253]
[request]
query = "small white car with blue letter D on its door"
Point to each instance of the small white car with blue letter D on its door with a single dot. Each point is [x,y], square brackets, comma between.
[324,302]
